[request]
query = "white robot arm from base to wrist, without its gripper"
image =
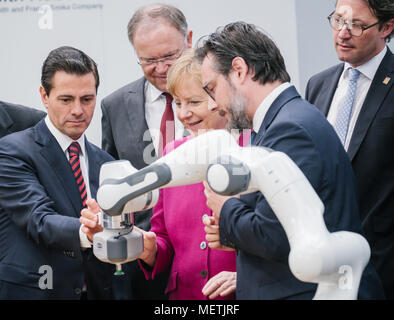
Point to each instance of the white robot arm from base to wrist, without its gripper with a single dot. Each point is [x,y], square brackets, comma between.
[335,261]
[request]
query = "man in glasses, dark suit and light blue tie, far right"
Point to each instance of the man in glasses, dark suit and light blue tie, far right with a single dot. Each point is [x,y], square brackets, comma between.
[368,131]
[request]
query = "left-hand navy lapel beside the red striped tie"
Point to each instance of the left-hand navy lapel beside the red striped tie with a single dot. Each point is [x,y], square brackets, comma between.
[58,164]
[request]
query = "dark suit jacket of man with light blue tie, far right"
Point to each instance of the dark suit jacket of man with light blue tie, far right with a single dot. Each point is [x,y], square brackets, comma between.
[371,152]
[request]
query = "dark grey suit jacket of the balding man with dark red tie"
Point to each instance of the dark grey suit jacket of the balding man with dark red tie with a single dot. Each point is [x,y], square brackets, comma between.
[125,135]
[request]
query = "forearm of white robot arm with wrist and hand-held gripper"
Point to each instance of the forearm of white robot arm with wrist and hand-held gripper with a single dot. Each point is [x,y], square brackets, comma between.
[123,190]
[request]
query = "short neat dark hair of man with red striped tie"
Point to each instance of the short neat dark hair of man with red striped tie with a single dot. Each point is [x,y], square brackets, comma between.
[69,60]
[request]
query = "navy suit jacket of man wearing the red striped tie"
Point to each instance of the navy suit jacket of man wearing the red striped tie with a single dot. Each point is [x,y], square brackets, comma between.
[40,224]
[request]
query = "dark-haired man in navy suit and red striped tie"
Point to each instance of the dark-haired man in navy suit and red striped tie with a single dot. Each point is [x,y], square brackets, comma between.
[47,172]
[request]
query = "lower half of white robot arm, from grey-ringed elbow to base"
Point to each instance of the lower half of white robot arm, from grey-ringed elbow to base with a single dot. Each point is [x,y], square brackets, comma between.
[335,261]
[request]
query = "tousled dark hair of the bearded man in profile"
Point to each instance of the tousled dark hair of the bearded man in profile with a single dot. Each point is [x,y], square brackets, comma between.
[240,39]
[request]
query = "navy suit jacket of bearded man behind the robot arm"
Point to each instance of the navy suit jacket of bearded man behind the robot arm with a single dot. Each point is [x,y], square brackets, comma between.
[297,128]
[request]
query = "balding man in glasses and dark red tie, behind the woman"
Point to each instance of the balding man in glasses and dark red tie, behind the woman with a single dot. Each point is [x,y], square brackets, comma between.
[133,115]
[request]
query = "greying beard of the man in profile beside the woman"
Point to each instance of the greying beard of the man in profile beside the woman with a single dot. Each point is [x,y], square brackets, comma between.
[239,120]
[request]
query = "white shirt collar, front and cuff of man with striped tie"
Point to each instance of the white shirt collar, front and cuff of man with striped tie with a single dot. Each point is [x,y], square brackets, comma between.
[64,142]
